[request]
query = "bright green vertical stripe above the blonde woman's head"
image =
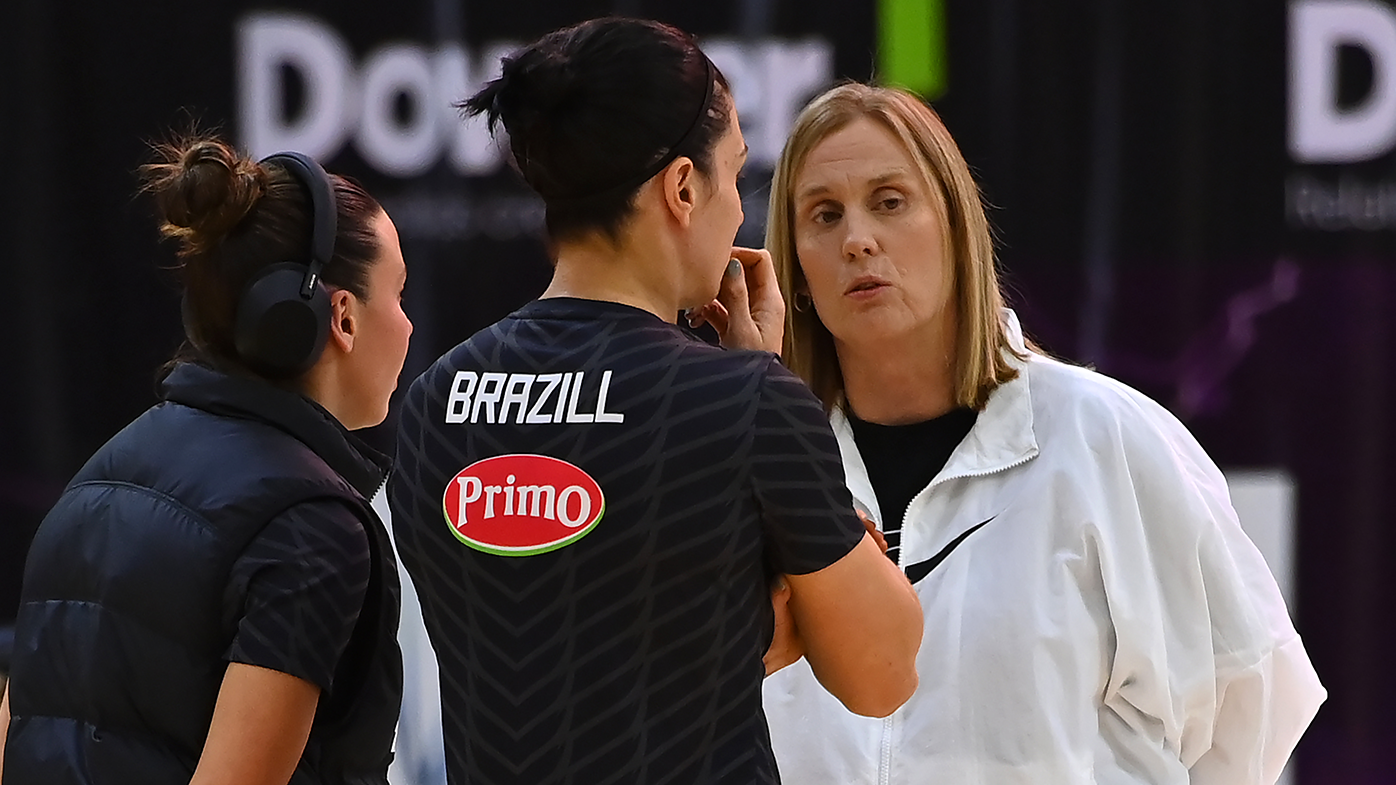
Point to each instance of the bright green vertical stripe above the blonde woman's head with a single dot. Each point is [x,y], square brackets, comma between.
[912,45]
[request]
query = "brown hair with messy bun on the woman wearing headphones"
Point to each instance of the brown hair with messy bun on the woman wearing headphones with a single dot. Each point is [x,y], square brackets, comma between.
[232,217]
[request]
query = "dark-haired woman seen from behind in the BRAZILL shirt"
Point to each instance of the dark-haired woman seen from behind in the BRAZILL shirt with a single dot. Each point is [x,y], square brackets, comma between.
[591,504]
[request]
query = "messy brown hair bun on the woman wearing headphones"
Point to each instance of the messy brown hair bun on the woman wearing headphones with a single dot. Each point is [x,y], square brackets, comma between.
[203,189]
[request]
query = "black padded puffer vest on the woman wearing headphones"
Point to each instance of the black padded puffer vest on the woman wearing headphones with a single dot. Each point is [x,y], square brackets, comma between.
[124,621]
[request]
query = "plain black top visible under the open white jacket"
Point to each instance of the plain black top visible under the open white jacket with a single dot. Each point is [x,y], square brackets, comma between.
[904,459]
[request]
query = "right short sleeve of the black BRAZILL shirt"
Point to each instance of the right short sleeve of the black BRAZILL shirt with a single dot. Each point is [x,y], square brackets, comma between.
[799,478]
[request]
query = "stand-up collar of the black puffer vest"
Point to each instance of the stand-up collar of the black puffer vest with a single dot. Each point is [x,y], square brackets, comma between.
[241,397]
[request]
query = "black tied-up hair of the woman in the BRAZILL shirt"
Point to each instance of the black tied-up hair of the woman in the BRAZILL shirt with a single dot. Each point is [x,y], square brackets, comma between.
[593,110]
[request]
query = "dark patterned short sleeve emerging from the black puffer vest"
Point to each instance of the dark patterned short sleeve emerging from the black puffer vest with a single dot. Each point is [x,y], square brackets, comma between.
[299,589]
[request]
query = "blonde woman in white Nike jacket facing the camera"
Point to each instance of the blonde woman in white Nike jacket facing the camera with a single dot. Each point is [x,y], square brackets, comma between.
[1092,610]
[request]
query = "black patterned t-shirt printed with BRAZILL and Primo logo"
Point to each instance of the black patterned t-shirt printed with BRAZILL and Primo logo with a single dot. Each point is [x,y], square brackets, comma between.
[591,505]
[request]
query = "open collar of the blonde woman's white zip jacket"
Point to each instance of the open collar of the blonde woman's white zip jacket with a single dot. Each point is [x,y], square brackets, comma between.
[1002,439]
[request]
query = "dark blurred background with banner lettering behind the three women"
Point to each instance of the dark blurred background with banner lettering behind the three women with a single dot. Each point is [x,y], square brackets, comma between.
[1194,196]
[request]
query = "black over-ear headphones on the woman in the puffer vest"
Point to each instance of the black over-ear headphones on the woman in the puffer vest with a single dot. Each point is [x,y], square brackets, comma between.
[284,314]
